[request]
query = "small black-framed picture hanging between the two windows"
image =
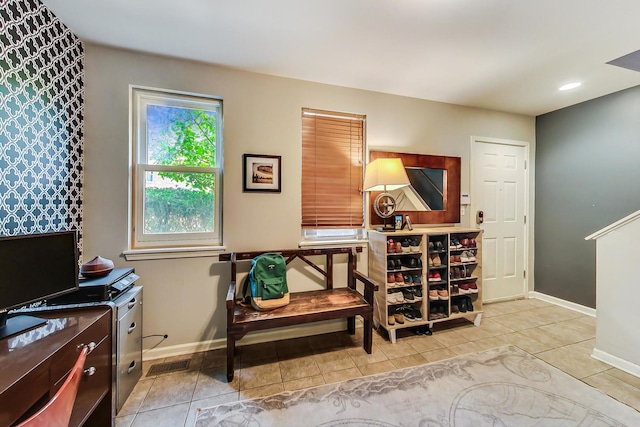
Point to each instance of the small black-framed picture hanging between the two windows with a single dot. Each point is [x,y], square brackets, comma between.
[261,173]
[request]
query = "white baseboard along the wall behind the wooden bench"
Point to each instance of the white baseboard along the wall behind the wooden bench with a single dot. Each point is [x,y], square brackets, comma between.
[252,338]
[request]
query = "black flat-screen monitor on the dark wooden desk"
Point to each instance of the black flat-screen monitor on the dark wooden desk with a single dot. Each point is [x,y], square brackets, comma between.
[34,267]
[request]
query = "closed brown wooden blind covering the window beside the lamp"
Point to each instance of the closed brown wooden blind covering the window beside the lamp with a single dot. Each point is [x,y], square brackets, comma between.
[332,162]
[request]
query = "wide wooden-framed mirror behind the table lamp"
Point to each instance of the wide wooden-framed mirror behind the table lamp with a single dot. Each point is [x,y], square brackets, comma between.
[445,172]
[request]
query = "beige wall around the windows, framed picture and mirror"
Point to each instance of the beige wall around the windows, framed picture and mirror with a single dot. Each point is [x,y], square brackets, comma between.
[185,297]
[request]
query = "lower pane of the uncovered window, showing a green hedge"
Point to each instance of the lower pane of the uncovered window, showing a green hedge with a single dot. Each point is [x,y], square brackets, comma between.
[178,202]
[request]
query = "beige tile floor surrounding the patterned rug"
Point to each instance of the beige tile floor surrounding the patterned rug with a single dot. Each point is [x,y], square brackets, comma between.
[561,337]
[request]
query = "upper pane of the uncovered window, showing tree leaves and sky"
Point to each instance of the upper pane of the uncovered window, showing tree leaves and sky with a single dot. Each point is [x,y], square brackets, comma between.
[180,136]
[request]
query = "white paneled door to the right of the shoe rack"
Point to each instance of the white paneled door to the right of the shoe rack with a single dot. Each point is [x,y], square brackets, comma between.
[499,189]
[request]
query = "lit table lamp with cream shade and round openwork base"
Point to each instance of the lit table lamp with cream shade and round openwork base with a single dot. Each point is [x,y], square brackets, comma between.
[385,175]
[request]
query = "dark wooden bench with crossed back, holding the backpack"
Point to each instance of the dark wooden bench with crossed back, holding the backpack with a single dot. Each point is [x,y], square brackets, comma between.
[304,307]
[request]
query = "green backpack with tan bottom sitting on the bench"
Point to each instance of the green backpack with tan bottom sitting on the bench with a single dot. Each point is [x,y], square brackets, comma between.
[267,282]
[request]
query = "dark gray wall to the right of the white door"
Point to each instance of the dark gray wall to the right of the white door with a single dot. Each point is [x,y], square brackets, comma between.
[587,176]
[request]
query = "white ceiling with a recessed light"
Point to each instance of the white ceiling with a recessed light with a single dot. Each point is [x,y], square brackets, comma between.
[504,55]
